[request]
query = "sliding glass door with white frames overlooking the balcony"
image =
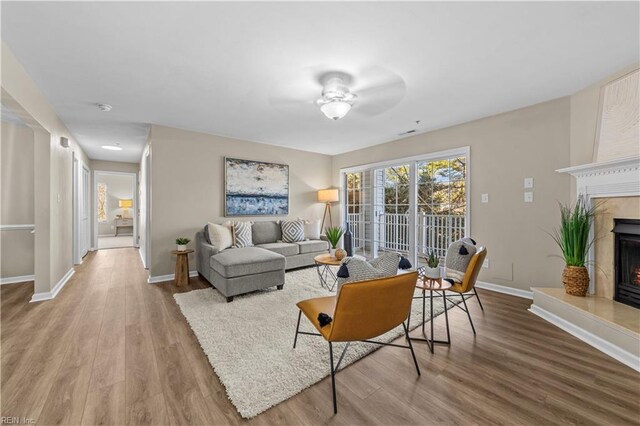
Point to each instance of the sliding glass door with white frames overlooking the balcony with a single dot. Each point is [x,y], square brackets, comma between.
[414,206]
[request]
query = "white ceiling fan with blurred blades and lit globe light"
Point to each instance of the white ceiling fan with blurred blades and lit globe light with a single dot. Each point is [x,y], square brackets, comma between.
[367,92]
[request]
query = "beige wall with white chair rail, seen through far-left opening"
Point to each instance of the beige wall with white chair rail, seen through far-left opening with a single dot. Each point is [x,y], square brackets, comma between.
[16,199]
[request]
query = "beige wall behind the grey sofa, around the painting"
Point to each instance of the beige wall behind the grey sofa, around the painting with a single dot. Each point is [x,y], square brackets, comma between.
[187,189]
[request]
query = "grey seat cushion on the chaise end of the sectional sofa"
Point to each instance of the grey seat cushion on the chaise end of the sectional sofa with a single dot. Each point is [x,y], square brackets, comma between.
[246,261]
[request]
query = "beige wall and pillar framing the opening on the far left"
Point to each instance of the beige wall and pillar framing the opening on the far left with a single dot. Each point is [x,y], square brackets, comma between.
[52,180]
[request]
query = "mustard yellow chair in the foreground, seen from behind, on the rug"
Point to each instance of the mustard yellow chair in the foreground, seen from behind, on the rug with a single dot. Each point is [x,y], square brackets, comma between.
[361,311]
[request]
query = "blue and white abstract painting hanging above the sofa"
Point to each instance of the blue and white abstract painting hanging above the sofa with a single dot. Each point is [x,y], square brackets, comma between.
[255,188]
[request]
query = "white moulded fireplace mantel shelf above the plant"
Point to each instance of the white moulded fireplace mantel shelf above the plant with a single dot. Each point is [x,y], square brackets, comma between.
[614,178]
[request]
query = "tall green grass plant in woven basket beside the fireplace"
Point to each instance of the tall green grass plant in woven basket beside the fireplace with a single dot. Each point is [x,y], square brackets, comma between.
[572,236]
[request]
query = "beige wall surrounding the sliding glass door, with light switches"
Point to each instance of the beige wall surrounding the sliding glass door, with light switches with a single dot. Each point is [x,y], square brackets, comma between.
[506,148]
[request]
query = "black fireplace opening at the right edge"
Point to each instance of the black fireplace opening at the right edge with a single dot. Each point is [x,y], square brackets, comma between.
[627,261]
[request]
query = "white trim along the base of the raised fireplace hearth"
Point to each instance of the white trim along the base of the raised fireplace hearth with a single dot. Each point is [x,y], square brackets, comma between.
[602,345]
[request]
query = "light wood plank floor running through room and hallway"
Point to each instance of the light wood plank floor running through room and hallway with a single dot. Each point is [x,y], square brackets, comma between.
[112,349]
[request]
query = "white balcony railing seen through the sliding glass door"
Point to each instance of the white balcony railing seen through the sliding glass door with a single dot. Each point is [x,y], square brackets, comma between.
[433,232]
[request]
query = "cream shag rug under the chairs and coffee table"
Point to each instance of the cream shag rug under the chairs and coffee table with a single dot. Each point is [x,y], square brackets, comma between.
[249,342]
